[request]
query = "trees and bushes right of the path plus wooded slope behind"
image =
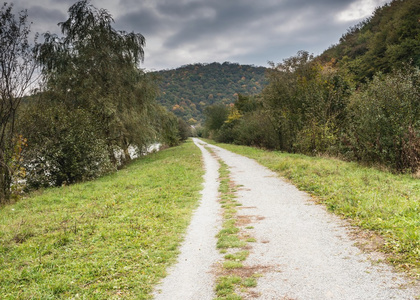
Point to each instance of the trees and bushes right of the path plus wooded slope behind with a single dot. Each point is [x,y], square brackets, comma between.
[354,101]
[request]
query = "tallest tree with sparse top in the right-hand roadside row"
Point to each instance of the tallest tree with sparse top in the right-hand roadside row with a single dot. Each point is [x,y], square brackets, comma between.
[306,103]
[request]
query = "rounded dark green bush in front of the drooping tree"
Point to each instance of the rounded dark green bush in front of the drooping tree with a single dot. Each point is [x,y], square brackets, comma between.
[62,148]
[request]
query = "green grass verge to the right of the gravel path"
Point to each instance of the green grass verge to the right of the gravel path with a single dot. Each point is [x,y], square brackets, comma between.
[381,202]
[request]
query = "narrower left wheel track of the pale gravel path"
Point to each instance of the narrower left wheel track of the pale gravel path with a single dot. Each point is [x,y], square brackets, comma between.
[193,277]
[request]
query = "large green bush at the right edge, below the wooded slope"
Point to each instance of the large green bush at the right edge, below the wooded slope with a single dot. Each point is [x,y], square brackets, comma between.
[384,123]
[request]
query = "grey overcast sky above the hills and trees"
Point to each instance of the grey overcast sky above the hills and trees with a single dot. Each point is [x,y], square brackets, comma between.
[180,32]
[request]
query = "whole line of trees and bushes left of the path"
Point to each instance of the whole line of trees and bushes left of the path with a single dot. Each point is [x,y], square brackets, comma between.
[90,105]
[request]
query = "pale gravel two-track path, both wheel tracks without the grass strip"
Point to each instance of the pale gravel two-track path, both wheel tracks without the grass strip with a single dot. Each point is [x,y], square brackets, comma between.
[302,251]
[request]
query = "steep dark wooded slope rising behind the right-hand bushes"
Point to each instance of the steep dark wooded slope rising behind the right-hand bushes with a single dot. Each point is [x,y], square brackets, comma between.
[388,39]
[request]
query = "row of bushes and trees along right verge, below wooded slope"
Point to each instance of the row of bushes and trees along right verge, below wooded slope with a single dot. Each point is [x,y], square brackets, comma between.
[313,109]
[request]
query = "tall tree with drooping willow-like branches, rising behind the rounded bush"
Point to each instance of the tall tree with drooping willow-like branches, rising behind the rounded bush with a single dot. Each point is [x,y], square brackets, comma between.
[95,67]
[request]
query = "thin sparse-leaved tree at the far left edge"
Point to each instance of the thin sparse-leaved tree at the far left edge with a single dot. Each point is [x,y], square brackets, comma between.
[17,67]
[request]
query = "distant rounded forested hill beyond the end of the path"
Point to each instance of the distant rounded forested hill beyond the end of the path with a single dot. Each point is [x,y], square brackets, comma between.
[188,90]
